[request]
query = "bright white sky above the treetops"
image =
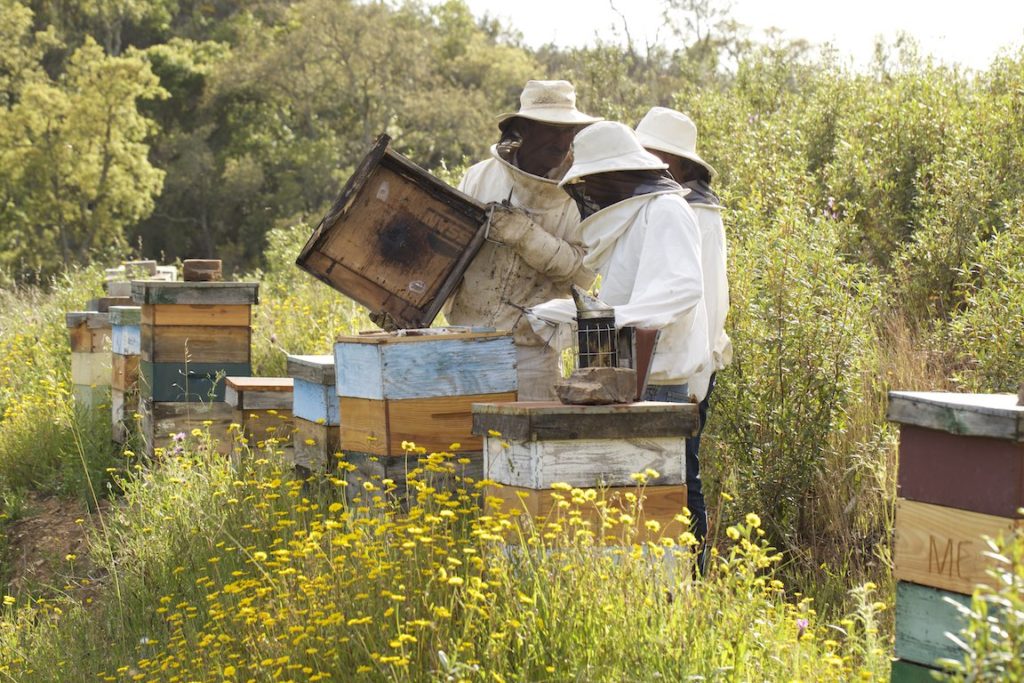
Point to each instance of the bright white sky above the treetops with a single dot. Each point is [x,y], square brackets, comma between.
[969,32]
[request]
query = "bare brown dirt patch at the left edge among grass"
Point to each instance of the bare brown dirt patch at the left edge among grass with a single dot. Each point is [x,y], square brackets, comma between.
[40,544]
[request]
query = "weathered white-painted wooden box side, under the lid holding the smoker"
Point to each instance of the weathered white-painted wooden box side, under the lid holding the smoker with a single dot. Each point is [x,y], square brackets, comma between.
[584,463]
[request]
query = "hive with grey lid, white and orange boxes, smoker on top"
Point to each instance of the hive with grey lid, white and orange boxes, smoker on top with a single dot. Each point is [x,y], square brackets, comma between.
[531,447]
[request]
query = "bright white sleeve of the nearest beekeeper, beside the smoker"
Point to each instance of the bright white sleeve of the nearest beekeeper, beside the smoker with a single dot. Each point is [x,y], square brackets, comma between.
[669,283]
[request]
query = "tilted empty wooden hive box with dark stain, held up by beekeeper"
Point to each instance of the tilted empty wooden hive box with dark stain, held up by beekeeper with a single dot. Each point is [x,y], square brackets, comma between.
[398,240]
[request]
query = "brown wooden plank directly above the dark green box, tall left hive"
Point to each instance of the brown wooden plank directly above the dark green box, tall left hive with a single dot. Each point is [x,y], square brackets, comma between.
[196,344]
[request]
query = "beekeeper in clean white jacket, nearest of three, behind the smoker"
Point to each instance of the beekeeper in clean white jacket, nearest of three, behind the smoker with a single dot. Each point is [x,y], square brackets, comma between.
[643,238]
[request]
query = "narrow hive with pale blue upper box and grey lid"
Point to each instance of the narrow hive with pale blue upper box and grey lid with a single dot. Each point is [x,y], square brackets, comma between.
[316,413]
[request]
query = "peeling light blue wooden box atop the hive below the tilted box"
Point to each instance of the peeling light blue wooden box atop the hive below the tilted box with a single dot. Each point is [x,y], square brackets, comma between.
[439,367]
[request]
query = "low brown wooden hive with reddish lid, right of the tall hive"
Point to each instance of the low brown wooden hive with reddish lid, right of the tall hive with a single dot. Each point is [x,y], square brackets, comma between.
[264,408]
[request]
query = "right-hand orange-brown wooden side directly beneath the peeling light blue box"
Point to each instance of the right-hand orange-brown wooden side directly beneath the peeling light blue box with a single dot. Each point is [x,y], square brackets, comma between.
[436,423]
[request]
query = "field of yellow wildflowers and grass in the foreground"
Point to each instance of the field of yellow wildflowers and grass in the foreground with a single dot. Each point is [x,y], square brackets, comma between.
[216,573]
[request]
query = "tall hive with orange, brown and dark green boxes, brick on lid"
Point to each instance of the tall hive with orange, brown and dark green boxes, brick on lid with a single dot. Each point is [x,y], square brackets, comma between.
[194,334]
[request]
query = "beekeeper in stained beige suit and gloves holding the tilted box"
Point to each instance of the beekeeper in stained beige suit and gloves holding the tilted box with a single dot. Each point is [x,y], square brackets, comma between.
[533,252]
